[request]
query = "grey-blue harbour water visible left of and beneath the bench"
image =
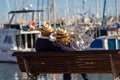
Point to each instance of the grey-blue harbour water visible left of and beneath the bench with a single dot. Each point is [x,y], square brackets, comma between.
[12,72]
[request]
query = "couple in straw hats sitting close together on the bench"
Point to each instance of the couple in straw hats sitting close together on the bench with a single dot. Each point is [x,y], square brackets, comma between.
[61,43]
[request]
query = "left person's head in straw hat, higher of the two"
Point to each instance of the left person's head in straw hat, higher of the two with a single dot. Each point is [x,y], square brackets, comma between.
[46,30]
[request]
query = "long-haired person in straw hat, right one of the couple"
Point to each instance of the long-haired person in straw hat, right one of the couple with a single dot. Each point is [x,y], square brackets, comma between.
[63,41]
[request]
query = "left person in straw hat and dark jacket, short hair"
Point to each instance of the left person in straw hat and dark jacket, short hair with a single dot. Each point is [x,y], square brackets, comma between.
[43,43]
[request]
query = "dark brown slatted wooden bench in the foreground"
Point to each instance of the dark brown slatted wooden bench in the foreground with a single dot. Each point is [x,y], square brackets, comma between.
[90,61]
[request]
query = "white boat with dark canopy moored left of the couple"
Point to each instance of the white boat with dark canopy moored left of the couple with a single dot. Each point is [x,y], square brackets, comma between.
[18,36]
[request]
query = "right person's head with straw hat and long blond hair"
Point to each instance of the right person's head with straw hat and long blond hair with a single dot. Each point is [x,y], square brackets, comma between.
[63,37]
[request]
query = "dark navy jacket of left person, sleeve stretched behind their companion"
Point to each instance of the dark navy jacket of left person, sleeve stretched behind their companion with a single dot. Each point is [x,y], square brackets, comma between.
[44,44]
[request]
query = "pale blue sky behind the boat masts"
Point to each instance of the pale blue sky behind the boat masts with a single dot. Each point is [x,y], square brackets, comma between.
[75,6]
